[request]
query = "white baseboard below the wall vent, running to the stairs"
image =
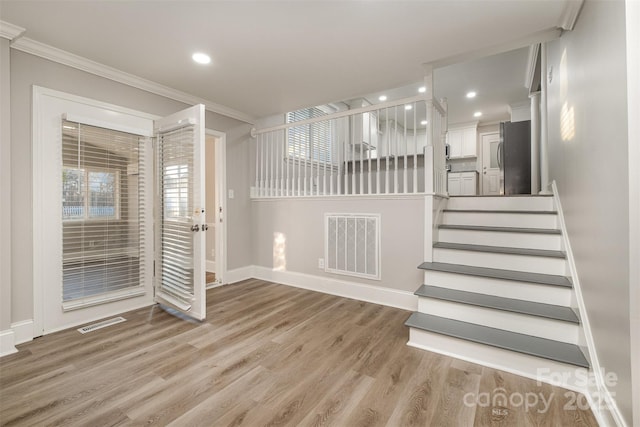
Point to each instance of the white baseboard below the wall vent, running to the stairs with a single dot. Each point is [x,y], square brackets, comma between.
[362,292]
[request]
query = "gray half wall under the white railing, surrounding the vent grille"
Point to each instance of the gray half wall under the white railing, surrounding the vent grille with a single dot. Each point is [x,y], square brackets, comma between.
[301,221]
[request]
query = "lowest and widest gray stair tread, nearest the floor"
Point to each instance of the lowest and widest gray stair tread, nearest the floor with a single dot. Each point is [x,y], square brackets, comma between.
[534,346]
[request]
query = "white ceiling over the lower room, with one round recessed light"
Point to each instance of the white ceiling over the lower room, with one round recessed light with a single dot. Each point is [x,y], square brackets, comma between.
[270,57]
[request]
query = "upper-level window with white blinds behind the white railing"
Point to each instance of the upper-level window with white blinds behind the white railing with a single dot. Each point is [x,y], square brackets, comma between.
[312,141]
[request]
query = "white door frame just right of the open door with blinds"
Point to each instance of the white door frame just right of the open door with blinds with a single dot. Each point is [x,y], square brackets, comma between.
[221,191]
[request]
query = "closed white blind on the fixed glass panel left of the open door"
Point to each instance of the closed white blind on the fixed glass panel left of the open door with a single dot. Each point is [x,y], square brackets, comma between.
[103,174]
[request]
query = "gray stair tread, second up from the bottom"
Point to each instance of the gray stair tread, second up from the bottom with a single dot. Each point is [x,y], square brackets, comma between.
[548,311]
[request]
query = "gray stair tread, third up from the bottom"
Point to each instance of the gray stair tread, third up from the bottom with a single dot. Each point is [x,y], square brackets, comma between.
[495,273]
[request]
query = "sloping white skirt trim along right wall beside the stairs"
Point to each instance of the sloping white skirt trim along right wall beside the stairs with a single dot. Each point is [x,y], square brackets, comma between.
[599,396]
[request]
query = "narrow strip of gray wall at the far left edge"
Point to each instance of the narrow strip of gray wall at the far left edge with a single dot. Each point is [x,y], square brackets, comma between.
[5,186]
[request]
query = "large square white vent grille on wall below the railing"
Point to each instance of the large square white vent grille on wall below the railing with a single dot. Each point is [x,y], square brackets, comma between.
[352,245]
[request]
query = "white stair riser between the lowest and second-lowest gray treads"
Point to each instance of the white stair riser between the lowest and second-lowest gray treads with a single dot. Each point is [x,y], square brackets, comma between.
[515,322]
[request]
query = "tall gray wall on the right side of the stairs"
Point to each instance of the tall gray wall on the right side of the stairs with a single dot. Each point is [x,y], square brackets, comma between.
[588,159]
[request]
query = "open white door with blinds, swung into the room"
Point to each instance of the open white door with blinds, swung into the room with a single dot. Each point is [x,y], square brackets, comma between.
[180,212]
